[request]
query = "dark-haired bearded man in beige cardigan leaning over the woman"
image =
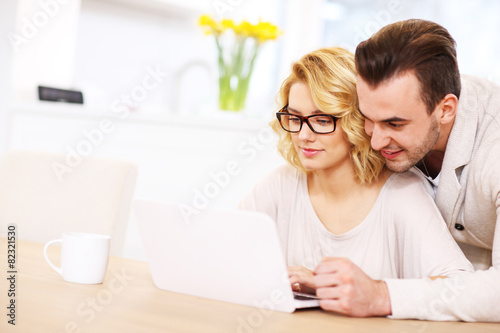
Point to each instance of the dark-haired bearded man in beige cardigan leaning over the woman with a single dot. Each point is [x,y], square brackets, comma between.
[423,116]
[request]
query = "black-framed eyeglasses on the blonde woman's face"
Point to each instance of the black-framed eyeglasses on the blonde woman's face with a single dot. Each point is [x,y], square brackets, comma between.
[318,123]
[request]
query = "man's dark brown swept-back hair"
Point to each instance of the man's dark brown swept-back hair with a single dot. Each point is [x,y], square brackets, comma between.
[422,47]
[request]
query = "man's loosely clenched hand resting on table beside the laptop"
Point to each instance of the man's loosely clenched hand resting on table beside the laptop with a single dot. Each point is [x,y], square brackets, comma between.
[344,288]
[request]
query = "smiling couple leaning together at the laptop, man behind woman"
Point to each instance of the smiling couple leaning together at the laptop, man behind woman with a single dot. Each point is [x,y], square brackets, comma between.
[356,228]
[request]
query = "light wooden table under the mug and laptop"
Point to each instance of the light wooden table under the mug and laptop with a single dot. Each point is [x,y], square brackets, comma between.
[128,301]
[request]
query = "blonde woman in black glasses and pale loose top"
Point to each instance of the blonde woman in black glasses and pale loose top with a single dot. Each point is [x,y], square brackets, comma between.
[336,198]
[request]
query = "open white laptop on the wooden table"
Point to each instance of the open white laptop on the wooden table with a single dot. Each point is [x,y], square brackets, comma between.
[233,256]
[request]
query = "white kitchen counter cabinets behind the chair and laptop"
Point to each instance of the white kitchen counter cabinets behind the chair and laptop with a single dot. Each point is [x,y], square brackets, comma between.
[199,161]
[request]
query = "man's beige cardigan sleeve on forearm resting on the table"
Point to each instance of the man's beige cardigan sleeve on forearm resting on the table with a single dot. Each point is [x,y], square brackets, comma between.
[467,297]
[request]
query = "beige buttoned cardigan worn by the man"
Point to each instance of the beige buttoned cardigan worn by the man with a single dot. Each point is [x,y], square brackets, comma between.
[468,197]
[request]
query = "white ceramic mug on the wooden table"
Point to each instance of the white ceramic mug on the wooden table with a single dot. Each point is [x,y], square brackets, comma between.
[84,257]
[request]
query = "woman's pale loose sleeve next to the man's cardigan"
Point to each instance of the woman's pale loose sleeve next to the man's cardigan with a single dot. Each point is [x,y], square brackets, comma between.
[424,244]
